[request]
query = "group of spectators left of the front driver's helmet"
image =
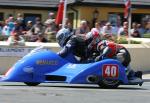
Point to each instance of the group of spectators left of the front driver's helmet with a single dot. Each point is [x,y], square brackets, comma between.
[18,31]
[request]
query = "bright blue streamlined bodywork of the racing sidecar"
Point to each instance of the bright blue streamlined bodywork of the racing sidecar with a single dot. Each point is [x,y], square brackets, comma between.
[45,66]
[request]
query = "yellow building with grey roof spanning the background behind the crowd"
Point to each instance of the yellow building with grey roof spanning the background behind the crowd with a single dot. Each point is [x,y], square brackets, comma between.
[91,10]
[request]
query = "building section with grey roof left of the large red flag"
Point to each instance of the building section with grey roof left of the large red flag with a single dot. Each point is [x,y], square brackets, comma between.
[30,9]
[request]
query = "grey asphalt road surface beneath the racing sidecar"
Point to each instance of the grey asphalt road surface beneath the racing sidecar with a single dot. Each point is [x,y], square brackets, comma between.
[65,93]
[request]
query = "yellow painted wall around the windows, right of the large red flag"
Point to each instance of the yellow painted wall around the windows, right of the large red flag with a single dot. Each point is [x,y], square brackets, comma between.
[86,13]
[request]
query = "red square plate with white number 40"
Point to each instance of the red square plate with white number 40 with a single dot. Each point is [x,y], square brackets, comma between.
[110,71]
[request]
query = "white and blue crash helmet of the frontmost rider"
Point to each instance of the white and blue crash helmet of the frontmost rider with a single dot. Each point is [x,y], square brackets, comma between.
[62,36]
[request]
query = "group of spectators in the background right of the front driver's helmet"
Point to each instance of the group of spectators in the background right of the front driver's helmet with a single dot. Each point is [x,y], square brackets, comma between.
[106,29]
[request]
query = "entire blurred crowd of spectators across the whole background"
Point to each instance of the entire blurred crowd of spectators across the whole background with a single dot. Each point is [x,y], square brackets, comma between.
[17,30]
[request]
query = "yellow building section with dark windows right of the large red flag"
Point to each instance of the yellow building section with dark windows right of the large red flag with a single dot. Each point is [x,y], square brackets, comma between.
[106,10]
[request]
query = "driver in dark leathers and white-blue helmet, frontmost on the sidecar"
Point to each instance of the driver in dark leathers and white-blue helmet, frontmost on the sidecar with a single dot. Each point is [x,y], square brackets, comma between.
[70,43]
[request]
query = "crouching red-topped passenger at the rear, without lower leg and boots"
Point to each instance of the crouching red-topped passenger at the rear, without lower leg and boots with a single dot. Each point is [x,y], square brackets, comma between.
[110,49]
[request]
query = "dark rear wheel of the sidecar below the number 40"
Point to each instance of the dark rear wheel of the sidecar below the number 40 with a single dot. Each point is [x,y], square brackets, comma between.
[109,84]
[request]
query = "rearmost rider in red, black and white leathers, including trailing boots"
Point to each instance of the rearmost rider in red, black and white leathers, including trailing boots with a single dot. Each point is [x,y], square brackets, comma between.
[109,49]
